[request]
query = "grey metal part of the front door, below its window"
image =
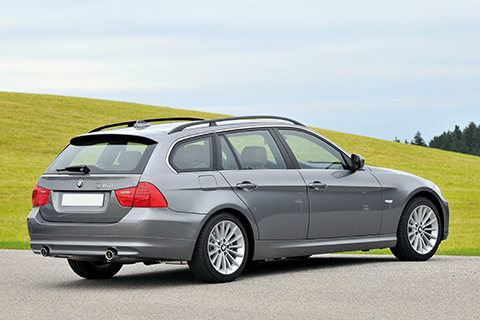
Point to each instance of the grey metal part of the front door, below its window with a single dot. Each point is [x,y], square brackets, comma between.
[343,203]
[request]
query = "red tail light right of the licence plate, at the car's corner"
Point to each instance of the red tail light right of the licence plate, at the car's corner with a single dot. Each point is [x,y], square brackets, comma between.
[143,195]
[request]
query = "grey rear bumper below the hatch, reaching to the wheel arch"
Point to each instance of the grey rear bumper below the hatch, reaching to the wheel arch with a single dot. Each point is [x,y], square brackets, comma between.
[144,234]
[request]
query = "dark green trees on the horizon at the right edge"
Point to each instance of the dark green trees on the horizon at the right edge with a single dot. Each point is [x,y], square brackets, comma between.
[464,141]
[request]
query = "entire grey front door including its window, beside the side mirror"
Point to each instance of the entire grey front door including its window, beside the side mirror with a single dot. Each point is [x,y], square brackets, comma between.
[343,203]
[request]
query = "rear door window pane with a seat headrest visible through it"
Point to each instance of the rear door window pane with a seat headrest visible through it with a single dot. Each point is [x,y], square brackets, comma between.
[256,150]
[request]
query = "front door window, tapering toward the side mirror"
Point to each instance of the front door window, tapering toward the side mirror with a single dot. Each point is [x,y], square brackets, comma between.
[311,152]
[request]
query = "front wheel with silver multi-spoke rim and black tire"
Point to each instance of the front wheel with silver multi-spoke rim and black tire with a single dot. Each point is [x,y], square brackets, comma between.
[419,231]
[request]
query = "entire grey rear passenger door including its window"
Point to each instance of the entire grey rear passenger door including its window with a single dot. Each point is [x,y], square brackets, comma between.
[277,197]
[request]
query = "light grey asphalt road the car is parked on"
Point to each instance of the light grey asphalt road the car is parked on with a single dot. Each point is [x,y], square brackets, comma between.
[322,287]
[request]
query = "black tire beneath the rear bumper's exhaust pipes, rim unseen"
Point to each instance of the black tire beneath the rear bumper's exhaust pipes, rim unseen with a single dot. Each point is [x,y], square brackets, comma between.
[94,270]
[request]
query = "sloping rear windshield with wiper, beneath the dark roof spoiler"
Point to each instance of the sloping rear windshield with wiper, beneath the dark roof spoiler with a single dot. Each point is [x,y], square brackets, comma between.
[105,154]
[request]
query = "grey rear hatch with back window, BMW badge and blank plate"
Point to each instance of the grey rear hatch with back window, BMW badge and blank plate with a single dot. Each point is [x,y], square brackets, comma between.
[84,182]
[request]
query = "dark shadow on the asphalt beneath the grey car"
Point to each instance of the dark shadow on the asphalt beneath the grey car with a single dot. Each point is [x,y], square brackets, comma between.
[181,276]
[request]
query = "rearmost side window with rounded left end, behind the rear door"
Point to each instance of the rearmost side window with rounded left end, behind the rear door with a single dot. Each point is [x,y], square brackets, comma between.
[192,155]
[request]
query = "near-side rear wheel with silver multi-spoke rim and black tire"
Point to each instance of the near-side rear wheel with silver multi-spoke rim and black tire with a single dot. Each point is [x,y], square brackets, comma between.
[222,249]
